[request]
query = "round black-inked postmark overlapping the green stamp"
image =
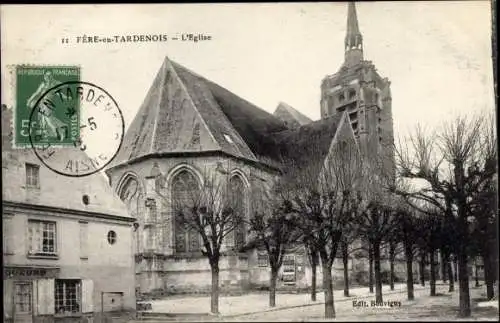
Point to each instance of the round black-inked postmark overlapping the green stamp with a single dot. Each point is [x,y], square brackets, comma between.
[76,128]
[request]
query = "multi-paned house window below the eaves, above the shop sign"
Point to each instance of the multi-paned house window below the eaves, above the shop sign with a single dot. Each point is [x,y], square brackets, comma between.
[42,237]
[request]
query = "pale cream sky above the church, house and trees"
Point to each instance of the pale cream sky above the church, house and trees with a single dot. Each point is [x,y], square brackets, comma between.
[436,54]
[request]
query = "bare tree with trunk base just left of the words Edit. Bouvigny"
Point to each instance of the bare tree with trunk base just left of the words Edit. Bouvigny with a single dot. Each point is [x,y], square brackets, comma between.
[323,195]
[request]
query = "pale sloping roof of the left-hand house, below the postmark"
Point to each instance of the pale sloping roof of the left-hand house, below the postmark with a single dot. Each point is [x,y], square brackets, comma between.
[55,190]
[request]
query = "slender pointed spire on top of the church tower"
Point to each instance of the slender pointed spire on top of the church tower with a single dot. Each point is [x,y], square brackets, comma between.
[353,38]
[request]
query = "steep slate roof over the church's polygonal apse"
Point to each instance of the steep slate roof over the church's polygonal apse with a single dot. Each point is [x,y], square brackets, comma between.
[257,135]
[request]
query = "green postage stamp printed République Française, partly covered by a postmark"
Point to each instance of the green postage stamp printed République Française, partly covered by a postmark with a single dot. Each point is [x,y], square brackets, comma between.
[54,122]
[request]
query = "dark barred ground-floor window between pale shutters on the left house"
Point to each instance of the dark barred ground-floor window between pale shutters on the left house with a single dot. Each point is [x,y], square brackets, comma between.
[67,296]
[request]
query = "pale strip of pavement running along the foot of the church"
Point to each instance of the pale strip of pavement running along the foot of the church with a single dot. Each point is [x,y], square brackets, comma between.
[258,302]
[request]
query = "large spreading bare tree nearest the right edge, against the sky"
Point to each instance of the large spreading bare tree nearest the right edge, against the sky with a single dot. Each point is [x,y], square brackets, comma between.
[453,172]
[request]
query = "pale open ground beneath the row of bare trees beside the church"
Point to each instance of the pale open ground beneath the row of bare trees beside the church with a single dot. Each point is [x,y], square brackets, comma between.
[298,307]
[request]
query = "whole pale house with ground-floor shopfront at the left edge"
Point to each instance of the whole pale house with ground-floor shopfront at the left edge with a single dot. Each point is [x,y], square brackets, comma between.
[67,242]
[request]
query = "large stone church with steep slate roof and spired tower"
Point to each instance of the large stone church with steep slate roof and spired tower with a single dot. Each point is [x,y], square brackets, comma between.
[188,125]
